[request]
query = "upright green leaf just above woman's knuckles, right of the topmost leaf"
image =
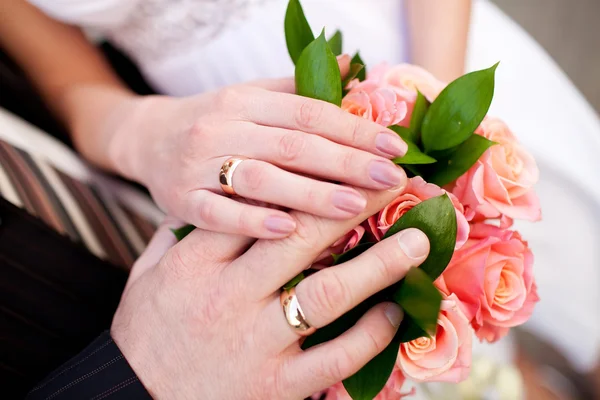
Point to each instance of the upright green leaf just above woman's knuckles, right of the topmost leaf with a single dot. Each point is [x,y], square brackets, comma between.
[318,73]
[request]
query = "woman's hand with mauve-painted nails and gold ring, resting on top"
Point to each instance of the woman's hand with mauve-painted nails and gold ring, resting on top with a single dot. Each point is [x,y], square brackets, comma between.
[176,148]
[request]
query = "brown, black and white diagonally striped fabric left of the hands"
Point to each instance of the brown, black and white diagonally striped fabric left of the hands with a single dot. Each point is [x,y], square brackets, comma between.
[85,213]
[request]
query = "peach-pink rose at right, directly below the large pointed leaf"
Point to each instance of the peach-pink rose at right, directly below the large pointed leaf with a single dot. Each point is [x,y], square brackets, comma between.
[501,181]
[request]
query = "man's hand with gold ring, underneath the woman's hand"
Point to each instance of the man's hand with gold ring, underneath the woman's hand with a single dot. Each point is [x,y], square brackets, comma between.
[205,320]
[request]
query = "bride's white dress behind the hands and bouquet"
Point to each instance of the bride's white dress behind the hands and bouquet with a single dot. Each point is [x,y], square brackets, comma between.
[190,46]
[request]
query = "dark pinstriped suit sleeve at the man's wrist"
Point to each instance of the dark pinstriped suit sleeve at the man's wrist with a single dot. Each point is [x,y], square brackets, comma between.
[98,372]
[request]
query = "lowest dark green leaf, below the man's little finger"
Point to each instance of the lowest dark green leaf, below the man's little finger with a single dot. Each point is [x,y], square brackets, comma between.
[370,379]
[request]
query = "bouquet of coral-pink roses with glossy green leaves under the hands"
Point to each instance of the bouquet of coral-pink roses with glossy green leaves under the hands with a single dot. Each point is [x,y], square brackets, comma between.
[469,178]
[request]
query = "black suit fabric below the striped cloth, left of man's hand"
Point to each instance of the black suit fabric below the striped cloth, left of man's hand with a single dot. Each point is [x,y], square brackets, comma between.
[55,298]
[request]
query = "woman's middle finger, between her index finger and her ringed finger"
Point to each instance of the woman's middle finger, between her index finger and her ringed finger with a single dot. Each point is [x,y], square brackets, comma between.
[313,155]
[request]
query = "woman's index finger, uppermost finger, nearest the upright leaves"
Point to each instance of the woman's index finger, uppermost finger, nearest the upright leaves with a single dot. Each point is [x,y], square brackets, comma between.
[289,111]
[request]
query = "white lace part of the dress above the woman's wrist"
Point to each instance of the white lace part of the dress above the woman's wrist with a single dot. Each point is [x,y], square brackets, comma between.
[153,29]
